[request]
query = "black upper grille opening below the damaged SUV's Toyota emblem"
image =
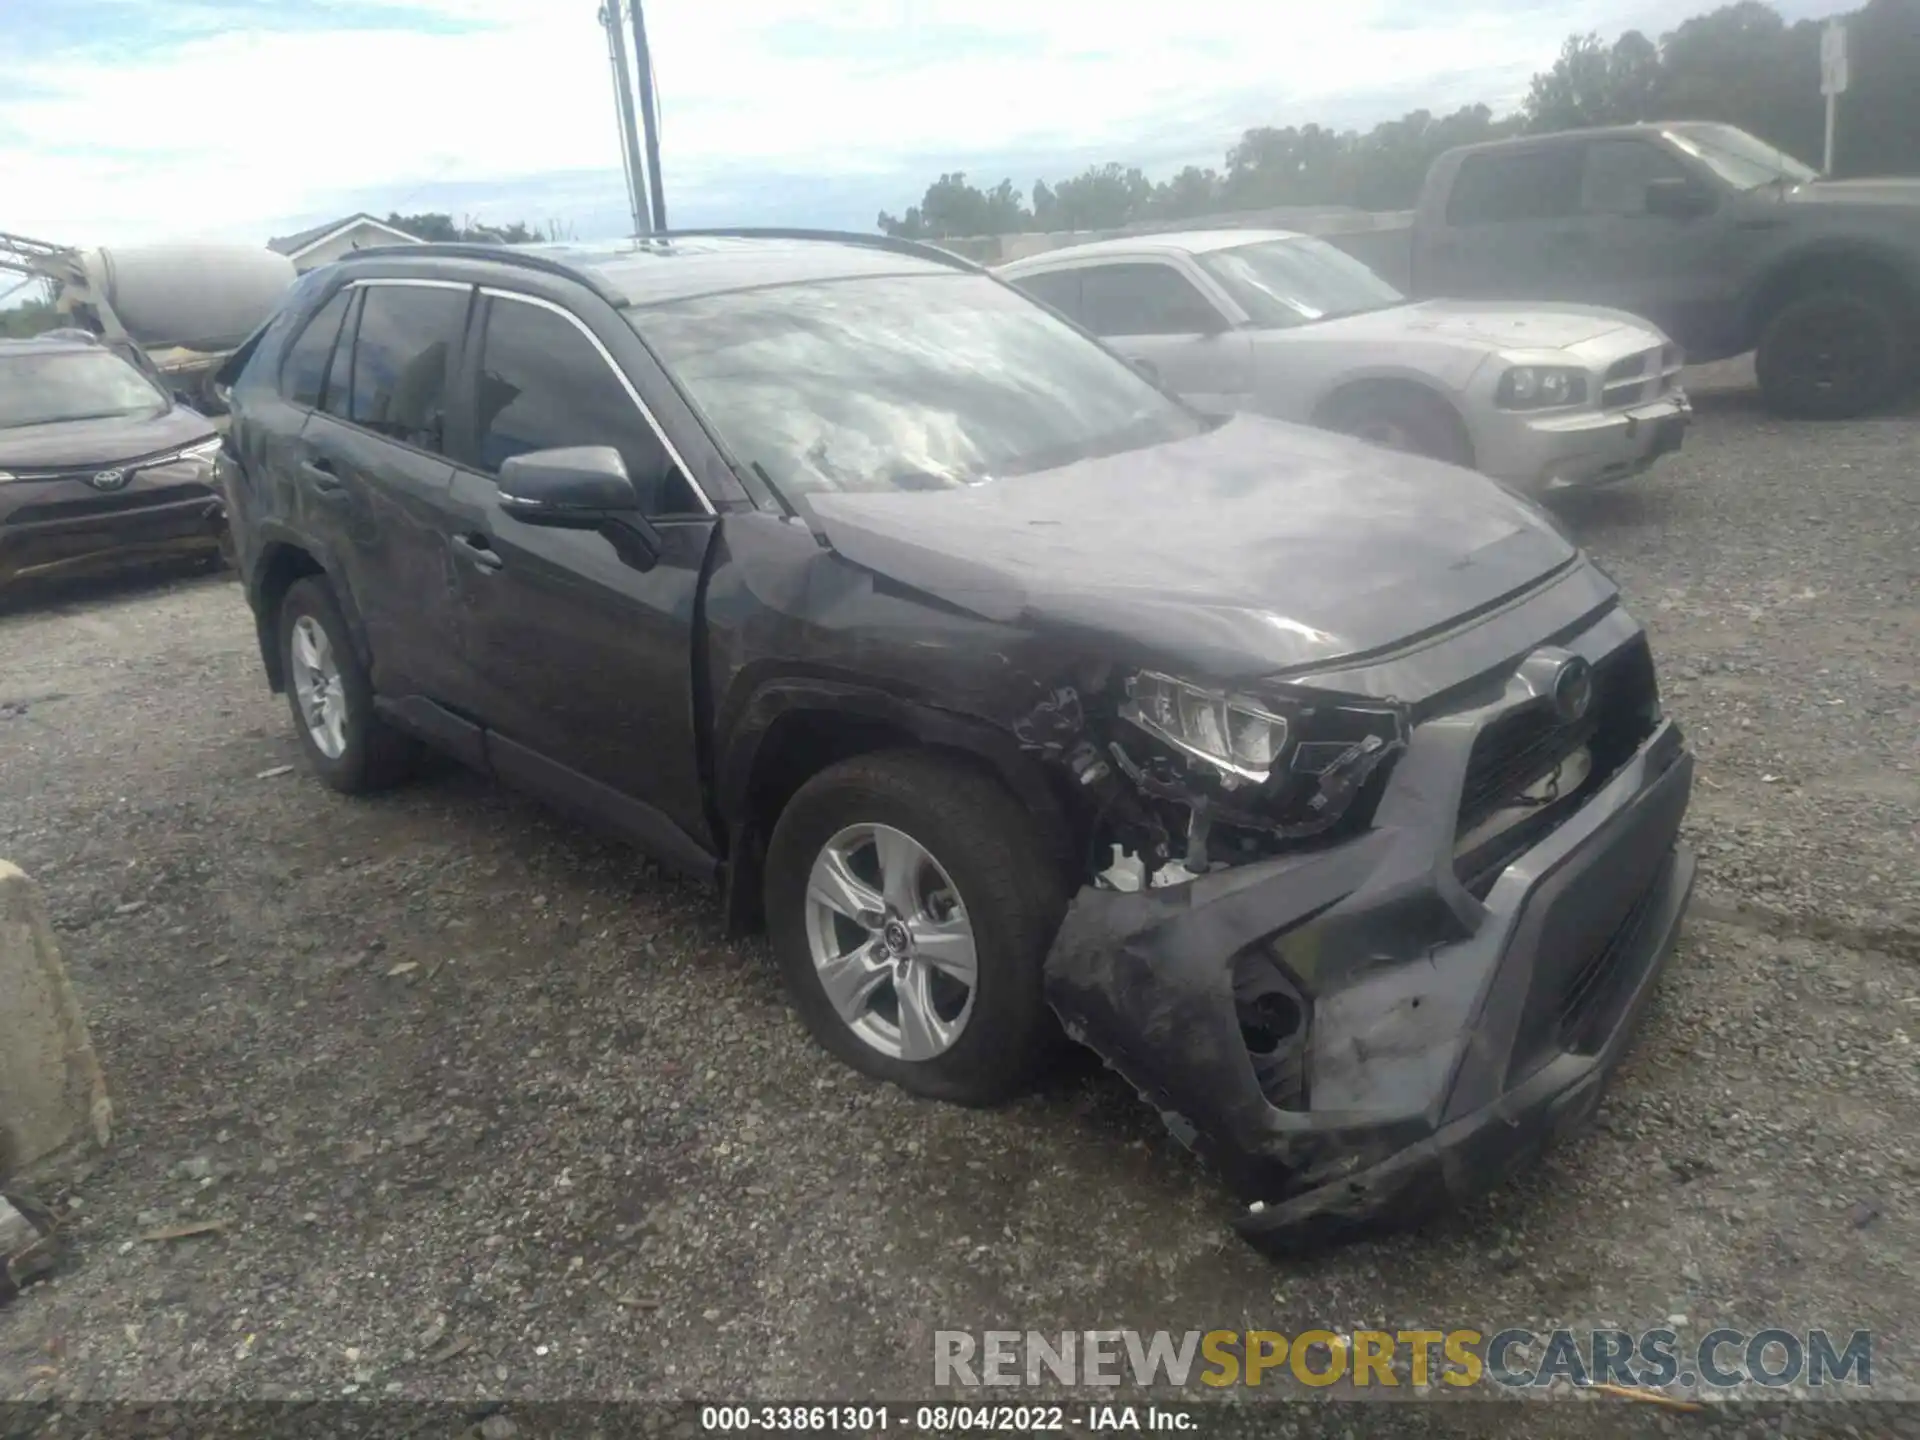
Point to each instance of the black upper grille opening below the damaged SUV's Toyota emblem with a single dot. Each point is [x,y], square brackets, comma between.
[1522,748]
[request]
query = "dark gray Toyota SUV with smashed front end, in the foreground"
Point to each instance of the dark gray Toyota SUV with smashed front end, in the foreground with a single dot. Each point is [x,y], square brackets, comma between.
[1322,790]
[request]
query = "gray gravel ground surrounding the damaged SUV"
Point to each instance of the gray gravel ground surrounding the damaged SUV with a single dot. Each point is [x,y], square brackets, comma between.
[491,1111]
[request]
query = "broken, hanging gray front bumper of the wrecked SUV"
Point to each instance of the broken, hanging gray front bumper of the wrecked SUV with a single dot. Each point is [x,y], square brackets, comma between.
[1429,1038]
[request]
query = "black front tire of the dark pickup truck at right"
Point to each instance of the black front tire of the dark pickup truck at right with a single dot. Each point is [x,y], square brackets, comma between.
[1833,354]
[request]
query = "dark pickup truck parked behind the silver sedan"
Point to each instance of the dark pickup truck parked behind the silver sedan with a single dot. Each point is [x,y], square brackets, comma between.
[1723,241]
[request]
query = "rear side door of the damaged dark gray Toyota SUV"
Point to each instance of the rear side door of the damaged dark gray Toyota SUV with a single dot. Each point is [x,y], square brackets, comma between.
[373,481]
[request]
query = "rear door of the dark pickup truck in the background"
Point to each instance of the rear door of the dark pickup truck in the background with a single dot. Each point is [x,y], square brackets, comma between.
[1510,229]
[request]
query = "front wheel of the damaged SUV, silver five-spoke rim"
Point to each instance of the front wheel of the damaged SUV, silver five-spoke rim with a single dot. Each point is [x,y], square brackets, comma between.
[911,907]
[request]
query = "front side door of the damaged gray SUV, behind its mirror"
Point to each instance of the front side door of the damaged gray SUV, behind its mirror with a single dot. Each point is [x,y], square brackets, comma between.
[575,654]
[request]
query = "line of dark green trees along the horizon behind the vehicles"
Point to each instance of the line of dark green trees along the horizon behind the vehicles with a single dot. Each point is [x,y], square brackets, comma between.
[1740,64]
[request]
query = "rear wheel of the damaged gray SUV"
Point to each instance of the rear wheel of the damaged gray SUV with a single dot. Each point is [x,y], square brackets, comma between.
[331,698]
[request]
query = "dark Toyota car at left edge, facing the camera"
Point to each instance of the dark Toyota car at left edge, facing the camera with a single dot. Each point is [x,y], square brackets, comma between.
[99,466]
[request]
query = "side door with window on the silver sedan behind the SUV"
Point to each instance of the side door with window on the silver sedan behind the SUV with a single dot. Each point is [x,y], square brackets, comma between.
[1153,312]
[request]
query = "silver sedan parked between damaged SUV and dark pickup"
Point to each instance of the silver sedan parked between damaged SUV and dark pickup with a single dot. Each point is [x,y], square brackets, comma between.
[1537,396]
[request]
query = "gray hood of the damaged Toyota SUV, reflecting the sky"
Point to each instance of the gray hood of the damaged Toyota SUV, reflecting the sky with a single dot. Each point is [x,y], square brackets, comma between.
[1249,550]
